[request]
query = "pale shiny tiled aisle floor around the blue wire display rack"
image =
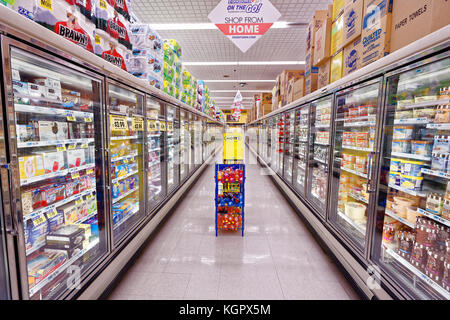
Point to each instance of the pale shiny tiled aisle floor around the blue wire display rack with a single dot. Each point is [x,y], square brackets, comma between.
[277,259]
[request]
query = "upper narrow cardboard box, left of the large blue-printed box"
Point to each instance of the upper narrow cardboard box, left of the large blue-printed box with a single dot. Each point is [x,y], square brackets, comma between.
[353,16]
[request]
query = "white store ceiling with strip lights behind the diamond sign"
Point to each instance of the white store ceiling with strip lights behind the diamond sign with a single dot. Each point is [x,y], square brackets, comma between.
[284,44]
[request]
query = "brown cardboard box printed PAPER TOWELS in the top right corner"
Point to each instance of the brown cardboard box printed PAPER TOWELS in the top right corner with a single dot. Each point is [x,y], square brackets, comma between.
[414,19]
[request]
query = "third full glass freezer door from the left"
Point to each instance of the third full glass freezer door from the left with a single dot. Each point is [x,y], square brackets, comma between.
[156,129]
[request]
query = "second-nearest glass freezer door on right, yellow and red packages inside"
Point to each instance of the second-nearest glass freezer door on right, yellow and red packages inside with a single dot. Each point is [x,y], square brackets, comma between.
[353,154]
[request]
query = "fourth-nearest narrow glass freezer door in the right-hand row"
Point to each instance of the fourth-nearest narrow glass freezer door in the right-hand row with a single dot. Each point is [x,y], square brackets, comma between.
[301,148]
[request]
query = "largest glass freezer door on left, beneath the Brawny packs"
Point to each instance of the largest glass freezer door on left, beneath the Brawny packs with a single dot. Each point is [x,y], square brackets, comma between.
[57,138]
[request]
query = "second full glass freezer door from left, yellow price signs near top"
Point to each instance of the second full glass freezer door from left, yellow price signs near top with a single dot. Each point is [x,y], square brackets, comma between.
[126,140]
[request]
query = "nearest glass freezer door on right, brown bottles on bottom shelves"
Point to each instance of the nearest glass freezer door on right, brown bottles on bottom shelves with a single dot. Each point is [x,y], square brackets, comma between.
[411,239]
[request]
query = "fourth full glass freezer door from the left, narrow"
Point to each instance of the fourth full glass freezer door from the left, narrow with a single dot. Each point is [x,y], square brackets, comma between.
[173,148]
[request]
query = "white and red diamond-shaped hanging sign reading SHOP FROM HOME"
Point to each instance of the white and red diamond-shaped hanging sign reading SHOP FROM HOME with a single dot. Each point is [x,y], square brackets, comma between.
[244,21]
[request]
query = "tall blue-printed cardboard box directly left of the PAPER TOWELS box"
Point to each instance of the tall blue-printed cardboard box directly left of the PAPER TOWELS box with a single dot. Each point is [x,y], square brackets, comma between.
[376,33]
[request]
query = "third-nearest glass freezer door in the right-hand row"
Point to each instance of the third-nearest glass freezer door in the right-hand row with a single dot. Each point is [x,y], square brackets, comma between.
[319,147]
